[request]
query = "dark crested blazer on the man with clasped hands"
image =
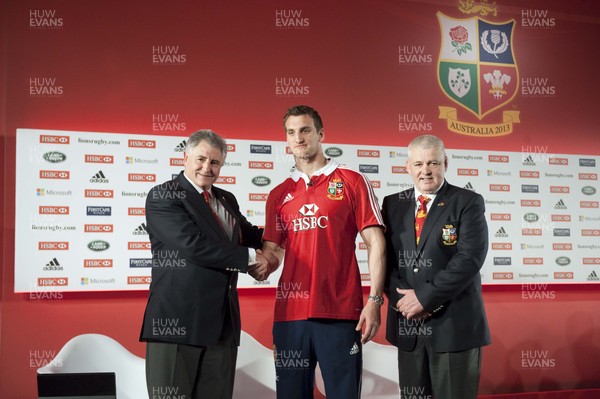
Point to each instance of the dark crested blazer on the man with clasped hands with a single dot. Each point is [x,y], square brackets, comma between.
[443,269]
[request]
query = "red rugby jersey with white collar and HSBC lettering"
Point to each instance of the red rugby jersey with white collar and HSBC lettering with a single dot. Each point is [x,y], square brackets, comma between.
[317,221]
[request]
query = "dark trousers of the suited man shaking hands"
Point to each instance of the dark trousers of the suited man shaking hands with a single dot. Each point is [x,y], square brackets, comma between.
[191,372]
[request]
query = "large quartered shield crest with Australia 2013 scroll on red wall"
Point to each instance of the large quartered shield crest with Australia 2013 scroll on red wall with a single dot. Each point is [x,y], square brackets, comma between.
[478,71]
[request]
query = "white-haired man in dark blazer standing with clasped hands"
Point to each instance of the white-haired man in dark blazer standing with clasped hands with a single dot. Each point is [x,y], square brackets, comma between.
[437,240]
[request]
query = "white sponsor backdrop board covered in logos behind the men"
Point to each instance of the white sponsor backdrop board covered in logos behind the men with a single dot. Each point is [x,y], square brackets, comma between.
[80,218]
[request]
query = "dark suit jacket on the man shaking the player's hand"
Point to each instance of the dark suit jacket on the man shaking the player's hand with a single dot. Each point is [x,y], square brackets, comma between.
[195,265]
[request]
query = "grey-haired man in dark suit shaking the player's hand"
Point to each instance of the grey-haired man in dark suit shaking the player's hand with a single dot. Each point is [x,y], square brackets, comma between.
[200,241]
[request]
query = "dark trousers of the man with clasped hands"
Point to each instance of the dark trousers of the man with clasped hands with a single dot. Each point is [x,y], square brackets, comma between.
[424,373]
